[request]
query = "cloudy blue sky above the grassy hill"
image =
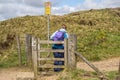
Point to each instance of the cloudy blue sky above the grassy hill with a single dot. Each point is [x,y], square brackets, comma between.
[15,8]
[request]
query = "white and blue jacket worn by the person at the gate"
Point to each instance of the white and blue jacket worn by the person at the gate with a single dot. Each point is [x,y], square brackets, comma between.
[65,36]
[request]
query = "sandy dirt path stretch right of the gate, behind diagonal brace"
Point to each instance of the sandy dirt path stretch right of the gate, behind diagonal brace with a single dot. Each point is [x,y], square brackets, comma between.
[107,65]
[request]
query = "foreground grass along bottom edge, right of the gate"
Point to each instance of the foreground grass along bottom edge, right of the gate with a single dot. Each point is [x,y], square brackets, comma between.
[84,75]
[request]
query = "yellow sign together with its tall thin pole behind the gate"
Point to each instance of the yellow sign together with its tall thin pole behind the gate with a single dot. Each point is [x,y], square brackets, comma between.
[48,12]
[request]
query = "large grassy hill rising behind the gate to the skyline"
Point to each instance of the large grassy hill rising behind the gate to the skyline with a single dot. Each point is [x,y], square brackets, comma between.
[98,32]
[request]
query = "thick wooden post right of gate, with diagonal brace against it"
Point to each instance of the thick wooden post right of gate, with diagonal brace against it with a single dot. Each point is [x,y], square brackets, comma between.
[72,43]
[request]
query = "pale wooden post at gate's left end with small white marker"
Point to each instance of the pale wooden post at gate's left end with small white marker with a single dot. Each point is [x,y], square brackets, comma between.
[35,55]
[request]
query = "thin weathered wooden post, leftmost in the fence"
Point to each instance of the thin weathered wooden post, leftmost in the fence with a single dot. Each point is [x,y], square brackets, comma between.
[19,50]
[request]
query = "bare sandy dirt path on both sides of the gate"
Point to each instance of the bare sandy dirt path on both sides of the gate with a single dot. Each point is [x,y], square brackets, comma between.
[107,65]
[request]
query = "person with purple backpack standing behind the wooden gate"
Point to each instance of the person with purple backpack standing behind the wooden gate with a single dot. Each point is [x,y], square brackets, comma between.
[59,35]
